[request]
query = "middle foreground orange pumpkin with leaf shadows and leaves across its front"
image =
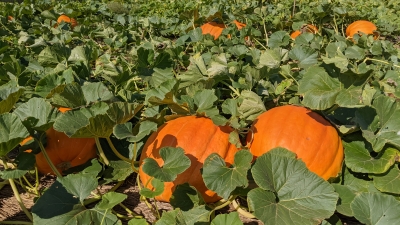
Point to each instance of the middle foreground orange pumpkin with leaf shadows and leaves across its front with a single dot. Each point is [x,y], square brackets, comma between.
[199,137]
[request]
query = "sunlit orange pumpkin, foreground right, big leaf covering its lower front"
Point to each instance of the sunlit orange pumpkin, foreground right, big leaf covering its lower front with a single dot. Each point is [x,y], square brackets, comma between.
[301,131]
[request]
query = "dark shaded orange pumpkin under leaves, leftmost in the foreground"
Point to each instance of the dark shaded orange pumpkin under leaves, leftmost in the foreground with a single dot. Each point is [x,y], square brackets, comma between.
[63,151]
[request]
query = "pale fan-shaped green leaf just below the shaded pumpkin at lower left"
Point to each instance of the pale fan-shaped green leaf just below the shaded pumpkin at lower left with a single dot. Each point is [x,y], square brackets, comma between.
[79,185]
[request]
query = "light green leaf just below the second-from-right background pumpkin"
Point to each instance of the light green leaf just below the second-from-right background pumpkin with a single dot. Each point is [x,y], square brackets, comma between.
[305,56]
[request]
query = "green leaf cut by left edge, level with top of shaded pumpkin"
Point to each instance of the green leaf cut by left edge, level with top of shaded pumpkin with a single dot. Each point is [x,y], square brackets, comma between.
[12,132]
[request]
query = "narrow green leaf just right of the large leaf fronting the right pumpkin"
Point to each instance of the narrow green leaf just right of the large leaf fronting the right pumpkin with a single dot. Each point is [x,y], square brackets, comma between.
[346,196]
